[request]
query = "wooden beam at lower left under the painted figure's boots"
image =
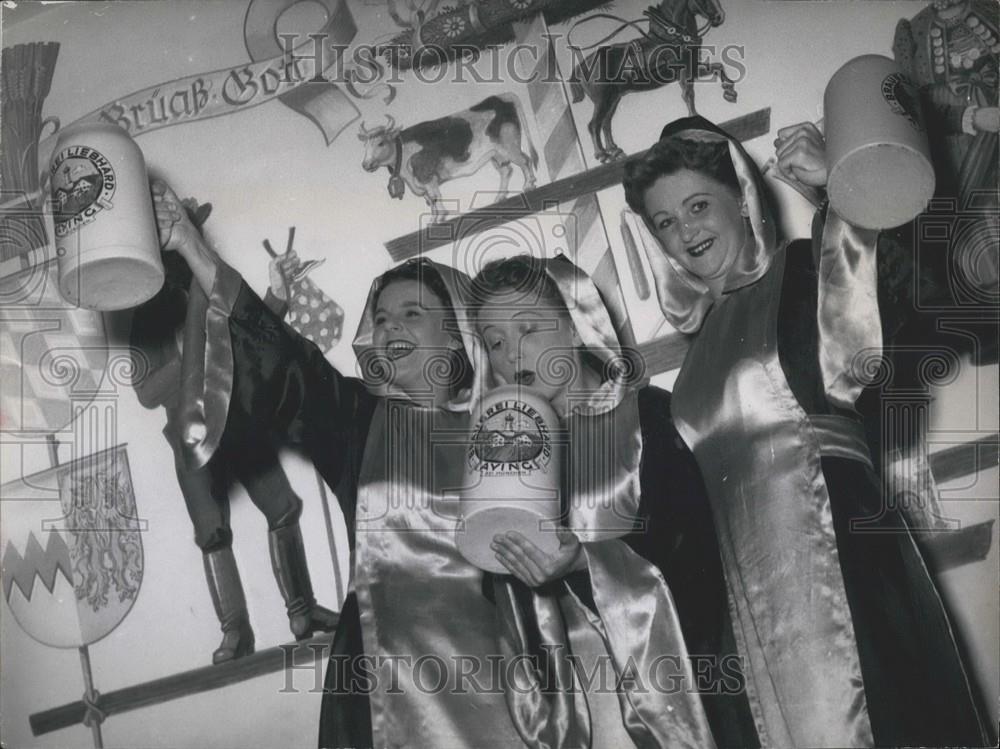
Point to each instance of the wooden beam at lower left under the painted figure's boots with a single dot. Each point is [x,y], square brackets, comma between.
[186,683]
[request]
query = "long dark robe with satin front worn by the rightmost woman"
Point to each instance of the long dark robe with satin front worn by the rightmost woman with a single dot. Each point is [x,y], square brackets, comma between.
[846,639]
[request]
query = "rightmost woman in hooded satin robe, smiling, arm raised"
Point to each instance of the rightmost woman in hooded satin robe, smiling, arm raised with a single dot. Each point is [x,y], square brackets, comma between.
[845,639]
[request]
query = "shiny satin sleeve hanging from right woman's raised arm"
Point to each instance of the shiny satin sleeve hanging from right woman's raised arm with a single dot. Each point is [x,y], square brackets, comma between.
[850,329]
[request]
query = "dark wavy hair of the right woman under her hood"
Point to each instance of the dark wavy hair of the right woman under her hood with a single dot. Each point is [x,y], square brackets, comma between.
[669,156]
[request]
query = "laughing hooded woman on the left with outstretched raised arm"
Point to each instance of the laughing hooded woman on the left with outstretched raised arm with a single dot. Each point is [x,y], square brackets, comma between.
[415,600]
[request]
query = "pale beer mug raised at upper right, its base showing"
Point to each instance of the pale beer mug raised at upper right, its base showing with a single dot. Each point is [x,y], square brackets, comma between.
[878,159]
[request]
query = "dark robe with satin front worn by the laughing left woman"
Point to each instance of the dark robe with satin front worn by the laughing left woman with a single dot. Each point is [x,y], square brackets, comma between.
[423,615]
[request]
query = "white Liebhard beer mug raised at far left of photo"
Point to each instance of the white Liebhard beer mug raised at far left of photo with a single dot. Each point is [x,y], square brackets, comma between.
[106,240]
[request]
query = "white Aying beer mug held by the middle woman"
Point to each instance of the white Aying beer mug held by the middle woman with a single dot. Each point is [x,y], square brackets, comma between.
[512,474]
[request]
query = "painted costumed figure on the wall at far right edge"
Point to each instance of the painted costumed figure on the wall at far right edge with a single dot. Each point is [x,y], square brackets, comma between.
[950,50]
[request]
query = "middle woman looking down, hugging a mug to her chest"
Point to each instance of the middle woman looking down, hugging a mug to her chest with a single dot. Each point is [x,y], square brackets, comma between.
[636,512]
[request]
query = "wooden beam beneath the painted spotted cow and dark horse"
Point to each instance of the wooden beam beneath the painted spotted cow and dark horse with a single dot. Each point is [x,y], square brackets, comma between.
[545,197]
